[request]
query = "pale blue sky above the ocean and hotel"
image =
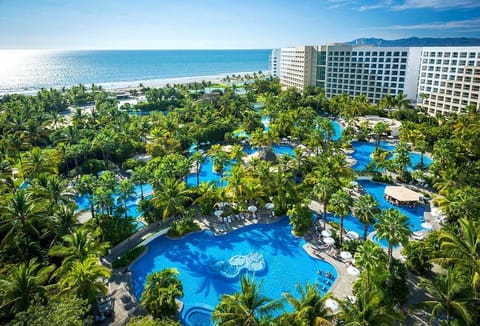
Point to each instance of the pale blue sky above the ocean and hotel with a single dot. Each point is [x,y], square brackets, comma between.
[223,24]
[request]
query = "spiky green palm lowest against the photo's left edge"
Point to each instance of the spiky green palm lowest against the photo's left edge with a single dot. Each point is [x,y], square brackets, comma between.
[24,282]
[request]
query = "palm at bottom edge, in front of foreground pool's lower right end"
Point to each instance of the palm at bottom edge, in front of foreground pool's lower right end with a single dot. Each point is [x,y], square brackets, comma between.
[310,308]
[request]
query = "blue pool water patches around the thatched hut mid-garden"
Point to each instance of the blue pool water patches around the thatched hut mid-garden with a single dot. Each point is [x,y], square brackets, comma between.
[206,168]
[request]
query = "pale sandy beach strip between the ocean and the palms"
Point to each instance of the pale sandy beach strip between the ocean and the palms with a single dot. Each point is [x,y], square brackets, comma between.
[134,84]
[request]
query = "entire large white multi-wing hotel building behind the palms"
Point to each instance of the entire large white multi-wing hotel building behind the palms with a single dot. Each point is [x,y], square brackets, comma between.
[440,79]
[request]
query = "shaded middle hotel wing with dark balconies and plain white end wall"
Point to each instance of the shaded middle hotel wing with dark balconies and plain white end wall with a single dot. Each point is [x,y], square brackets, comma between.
[371,71]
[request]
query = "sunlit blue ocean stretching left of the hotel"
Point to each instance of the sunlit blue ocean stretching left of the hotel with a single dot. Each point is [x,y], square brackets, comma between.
[26,71]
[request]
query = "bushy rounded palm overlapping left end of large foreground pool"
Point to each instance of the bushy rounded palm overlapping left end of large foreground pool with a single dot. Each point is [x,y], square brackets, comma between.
[161,290]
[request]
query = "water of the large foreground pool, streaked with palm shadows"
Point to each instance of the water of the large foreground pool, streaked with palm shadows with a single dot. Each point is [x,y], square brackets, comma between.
[286,263]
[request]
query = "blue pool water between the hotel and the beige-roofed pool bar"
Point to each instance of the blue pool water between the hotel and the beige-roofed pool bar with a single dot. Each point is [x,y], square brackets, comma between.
[363,151]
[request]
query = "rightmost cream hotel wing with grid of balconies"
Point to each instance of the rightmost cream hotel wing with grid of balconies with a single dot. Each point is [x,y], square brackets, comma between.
[449,79]
